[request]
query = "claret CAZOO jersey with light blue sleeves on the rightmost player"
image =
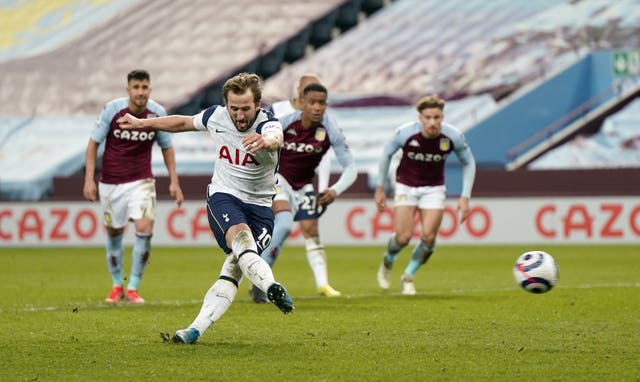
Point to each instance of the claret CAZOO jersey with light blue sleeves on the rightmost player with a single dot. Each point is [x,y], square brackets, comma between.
[423,159]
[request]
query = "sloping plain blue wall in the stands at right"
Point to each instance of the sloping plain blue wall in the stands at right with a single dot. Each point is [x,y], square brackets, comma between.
[529,117]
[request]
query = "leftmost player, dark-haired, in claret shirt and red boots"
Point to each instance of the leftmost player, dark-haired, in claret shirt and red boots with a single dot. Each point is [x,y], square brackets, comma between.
[127,188]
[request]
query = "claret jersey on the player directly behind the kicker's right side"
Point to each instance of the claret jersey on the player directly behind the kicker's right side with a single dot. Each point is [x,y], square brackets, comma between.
[303,149]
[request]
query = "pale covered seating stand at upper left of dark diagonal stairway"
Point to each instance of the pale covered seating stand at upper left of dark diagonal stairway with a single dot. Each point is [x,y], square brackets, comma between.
[62,60]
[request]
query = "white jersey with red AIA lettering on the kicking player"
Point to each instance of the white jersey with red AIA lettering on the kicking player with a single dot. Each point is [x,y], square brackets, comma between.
[251,177]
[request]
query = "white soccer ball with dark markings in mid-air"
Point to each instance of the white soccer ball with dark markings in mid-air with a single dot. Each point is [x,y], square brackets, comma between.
[536,271]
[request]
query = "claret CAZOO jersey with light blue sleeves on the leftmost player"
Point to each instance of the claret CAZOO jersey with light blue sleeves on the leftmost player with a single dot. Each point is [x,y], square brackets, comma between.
[127,153]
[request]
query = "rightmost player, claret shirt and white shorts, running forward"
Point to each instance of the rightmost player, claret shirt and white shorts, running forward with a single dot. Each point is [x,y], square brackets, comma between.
[425,145]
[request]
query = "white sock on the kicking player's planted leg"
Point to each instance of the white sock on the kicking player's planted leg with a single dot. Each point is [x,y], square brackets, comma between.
[216,302]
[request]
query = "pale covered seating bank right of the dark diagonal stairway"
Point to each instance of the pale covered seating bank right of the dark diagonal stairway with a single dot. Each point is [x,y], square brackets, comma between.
[463,47]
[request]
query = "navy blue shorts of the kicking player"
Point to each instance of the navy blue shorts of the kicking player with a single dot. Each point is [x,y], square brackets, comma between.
[225,210]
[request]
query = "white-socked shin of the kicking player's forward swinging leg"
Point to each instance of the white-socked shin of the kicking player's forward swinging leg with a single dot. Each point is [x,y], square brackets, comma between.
[253,266]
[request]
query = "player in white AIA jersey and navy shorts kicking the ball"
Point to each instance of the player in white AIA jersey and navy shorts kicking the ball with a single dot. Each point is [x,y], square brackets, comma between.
[240,194]
